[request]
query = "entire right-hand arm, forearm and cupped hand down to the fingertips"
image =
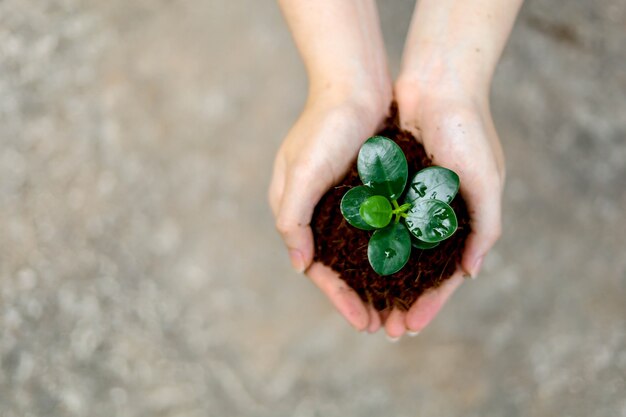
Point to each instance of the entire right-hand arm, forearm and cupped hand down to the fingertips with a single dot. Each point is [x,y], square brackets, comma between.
[450,55]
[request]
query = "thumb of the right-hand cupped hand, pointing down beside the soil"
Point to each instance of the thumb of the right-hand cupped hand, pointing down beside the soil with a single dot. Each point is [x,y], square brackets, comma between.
[483,198]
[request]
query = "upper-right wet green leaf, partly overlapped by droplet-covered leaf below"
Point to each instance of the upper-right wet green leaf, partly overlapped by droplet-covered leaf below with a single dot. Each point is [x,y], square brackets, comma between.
[435,183]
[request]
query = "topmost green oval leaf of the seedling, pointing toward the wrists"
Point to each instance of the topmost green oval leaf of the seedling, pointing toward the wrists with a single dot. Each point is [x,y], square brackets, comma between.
[383,167]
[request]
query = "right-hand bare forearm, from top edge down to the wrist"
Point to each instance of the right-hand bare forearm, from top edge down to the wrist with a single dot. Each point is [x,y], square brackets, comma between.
[456,44]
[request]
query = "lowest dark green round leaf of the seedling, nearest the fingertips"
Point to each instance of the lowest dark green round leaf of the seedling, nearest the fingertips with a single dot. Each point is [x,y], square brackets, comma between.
[389,249]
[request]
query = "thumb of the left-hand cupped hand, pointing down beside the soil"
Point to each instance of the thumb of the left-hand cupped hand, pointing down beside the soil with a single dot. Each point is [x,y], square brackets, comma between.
[300,195]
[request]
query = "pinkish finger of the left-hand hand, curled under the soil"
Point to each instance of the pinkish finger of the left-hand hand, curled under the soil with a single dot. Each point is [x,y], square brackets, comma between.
[344,298]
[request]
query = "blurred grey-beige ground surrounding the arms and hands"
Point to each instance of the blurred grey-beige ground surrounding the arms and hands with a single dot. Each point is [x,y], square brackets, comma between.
[140,274]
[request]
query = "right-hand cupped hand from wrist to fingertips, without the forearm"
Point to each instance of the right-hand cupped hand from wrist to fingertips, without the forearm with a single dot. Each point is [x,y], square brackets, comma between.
[455,125]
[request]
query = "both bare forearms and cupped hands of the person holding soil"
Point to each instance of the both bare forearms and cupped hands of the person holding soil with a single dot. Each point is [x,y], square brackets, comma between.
[442,91]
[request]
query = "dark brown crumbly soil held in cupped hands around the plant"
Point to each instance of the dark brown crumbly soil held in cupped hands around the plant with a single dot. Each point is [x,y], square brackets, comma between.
[344,248]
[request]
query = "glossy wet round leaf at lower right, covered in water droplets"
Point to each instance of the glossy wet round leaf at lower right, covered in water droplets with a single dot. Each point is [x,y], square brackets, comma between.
[431,221]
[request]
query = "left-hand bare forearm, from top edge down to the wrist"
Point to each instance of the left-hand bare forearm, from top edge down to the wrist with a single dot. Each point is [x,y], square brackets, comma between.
[341,45]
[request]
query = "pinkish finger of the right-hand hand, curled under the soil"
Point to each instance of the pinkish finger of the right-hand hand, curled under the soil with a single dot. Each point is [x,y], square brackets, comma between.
[428,305]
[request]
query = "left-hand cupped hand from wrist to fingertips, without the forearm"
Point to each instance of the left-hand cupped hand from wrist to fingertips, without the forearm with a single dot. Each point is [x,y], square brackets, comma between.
[316,154]
